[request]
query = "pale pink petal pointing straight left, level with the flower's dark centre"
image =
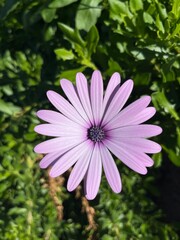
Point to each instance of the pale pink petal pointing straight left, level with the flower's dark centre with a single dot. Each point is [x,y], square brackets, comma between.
[56,130]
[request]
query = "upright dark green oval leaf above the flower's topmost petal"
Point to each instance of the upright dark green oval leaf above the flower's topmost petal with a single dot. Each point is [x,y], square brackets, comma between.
[92,40]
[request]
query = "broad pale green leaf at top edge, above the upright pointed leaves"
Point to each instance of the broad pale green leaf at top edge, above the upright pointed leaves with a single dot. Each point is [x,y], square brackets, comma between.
[88,13]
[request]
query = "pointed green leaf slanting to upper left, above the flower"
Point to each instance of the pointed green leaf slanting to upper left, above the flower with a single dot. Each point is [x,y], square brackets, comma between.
[71,34]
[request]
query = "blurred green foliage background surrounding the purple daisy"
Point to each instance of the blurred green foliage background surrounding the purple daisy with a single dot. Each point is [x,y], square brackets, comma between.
[42,41]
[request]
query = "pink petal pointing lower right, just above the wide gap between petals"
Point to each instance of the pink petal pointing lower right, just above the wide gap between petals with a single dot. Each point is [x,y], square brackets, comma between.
[126,157]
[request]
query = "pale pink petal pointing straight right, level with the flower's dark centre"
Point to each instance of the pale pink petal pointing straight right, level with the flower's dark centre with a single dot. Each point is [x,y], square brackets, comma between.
[144,130]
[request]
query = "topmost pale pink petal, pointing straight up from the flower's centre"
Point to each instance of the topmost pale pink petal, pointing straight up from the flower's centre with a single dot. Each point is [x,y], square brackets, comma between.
[97,96]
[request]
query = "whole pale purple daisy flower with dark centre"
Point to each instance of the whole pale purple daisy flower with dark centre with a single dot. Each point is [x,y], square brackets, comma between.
[91,126]
